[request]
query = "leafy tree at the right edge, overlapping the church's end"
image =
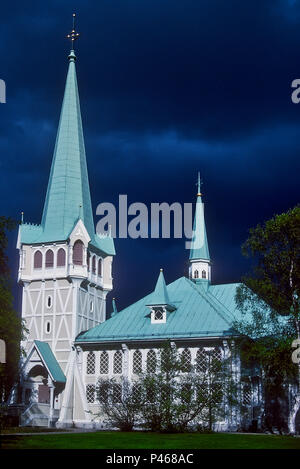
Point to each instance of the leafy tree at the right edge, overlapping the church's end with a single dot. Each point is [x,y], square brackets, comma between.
[269,302]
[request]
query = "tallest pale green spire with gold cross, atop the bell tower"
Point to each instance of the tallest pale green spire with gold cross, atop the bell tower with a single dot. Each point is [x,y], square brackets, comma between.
[68,193]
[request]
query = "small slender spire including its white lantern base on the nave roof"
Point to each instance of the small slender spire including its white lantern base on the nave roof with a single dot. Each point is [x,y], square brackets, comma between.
[199,253]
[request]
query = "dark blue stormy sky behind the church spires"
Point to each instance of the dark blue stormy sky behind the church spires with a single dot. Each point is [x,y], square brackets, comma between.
[167,88]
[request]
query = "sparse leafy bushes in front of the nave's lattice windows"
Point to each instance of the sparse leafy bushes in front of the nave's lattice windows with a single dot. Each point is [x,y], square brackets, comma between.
[172,399]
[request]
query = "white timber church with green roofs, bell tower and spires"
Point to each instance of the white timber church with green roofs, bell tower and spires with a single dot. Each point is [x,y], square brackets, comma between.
[65,270]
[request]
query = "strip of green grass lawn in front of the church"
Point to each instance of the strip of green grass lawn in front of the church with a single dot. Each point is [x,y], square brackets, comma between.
[136,440]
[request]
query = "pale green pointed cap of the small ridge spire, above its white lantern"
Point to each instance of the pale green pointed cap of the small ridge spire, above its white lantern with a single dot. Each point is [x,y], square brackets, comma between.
[199,246]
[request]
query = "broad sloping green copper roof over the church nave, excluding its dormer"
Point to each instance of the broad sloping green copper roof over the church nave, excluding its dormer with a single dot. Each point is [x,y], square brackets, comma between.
[201,312]
